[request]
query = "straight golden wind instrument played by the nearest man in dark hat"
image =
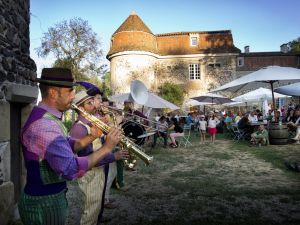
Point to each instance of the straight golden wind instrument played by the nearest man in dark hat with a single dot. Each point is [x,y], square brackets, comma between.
[125,141]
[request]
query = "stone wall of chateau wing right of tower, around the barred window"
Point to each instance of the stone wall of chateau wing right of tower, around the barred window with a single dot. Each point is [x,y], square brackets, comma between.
[214,70]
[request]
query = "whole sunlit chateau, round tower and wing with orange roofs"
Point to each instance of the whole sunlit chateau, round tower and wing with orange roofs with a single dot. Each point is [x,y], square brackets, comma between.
[197,61]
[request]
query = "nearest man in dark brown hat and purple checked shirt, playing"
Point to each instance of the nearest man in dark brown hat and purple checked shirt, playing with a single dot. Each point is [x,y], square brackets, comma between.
[48,151]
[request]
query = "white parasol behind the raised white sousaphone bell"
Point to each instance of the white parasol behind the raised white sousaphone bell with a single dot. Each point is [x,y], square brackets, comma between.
[153,101]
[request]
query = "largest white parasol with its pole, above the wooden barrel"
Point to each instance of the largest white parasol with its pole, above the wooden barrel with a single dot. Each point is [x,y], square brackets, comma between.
[268,75]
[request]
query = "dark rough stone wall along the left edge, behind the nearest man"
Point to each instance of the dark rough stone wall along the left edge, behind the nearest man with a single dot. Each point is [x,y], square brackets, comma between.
[17,89]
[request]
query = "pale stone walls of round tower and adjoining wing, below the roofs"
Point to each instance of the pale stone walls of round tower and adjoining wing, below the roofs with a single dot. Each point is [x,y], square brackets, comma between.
[154,71]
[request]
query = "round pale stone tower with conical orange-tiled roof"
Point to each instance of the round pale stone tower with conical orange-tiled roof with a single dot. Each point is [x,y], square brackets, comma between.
[132,54]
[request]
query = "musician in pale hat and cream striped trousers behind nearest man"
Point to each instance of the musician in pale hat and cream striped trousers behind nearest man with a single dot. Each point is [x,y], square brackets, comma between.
[93,183]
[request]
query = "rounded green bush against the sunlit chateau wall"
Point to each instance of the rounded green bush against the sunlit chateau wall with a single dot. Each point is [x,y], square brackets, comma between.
[172,92]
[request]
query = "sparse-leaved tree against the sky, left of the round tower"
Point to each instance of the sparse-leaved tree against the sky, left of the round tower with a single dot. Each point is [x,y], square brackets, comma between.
[75,46]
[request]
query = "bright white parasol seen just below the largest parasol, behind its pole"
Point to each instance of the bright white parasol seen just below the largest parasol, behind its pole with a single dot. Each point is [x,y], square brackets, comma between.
[257,95]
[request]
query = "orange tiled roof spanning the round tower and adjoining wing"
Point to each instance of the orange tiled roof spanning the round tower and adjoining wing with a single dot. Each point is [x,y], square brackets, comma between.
[134,35]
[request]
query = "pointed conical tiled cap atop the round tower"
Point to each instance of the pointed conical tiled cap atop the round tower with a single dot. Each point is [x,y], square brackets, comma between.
[133,23]
